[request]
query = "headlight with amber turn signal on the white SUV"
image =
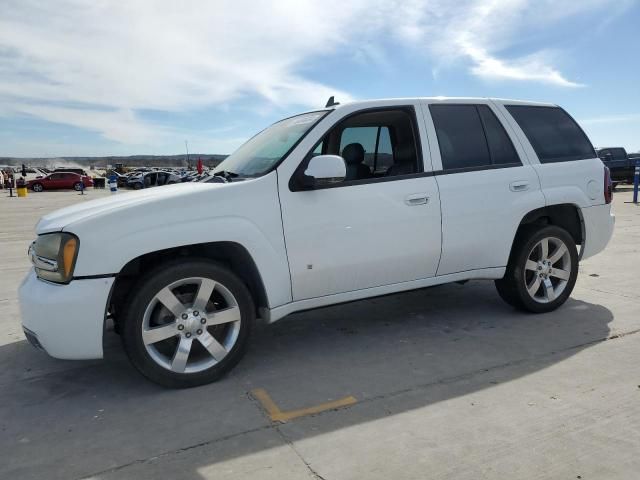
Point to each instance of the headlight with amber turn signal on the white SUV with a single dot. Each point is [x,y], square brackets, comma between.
[54,256]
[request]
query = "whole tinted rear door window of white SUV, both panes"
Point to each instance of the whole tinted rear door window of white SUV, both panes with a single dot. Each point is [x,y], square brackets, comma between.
[470,136]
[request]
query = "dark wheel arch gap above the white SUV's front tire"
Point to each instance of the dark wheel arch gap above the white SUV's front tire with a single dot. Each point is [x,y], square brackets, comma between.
[230,254]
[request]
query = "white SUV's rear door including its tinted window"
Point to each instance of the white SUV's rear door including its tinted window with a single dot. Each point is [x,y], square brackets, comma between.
[486,185]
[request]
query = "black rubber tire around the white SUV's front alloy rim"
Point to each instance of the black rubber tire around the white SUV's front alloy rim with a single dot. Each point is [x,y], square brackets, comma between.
[144,293]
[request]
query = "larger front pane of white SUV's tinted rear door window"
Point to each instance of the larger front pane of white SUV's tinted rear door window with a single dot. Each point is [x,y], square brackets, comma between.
[460,136]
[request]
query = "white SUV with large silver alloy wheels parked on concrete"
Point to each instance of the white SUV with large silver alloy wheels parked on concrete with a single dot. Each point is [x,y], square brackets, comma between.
[325,207]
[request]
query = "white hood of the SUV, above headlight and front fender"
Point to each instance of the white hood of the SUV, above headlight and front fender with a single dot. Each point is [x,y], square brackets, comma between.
[121,203]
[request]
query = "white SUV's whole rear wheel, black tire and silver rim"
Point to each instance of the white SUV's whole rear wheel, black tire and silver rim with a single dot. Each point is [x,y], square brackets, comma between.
[542,270]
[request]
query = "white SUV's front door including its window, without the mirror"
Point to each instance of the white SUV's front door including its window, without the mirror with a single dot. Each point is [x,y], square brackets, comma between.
[381,225]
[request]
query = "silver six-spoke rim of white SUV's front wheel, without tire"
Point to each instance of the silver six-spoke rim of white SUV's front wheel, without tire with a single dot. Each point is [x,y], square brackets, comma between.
[191,325]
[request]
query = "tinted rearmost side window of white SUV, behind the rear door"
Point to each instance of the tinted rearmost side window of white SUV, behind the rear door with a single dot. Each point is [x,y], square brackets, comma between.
[553,134]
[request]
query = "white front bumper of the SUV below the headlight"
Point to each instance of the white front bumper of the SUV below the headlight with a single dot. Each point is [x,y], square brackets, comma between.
[66,320]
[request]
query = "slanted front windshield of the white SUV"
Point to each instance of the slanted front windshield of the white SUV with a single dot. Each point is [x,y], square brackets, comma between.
[262,152]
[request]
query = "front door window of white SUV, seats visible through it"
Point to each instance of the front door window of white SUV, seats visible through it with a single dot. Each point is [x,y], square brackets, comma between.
[374,144]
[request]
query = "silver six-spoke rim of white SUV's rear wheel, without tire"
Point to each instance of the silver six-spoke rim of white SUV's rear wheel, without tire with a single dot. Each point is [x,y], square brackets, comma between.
[547,270]
